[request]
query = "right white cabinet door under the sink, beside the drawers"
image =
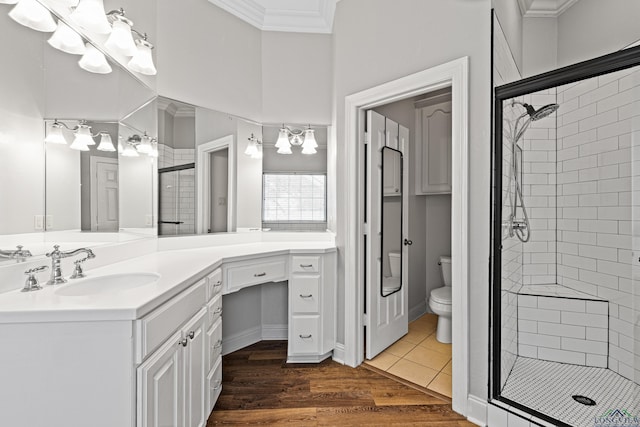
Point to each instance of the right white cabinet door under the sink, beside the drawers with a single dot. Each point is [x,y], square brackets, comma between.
[195,370]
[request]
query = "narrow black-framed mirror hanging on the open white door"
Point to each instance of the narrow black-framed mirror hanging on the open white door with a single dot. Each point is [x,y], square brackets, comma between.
[391,218]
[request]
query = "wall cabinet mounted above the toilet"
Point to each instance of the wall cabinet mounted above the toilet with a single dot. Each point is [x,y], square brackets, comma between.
[433,149]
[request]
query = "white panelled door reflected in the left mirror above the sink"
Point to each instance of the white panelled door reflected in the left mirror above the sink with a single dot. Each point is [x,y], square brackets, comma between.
[104,194]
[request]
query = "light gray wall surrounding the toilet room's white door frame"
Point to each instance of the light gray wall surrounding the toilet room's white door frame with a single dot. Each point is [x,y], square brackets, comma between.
[377,41]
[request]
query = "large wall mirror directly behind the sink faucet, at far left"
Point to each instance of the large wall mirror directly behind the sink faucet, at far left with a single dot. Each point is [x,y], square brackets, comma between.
[39,85]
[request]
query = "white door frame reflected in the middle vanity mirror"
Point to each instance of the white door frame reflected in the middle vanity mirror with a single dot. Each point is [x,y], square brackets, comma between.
[203,170]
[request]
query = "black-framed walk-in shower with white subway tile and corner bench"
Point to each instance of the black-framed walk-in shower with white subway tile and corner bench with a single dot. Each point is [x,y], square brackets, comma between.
[565,334]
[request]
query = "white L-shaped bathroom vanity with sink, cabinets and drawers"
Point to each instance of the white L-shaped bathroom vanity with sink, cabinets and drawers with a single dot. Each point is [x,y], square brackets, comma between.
[150,355]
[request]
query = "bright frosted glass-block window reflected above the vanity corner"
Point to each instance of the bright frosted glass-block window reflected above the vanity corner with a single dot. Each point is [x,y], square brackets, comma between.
[294,197]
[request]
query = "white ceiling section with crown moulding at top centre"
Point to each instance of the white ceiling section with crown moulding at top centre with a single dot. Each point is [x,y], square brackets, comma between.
[302,16]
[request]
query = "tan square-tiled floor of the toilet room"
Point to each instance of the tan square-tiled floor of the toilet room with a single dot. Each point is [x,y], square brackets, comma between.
[418,357]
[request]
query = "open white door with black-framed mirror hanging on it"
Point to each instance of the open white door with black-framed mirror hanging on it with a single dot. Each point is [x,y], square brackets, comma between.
[387,315]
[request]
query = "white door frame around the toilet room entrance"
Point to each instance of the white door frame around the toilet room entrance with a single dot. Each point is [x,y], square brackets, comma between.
[454,74]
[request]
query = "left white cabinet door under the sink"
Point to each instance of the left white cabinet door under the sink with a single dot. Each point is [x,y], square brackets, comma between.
[161,386]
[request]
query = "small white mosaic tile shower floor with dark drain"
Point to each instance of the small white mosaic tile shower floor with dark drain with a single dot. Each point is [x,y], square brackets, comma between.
[548,387]
